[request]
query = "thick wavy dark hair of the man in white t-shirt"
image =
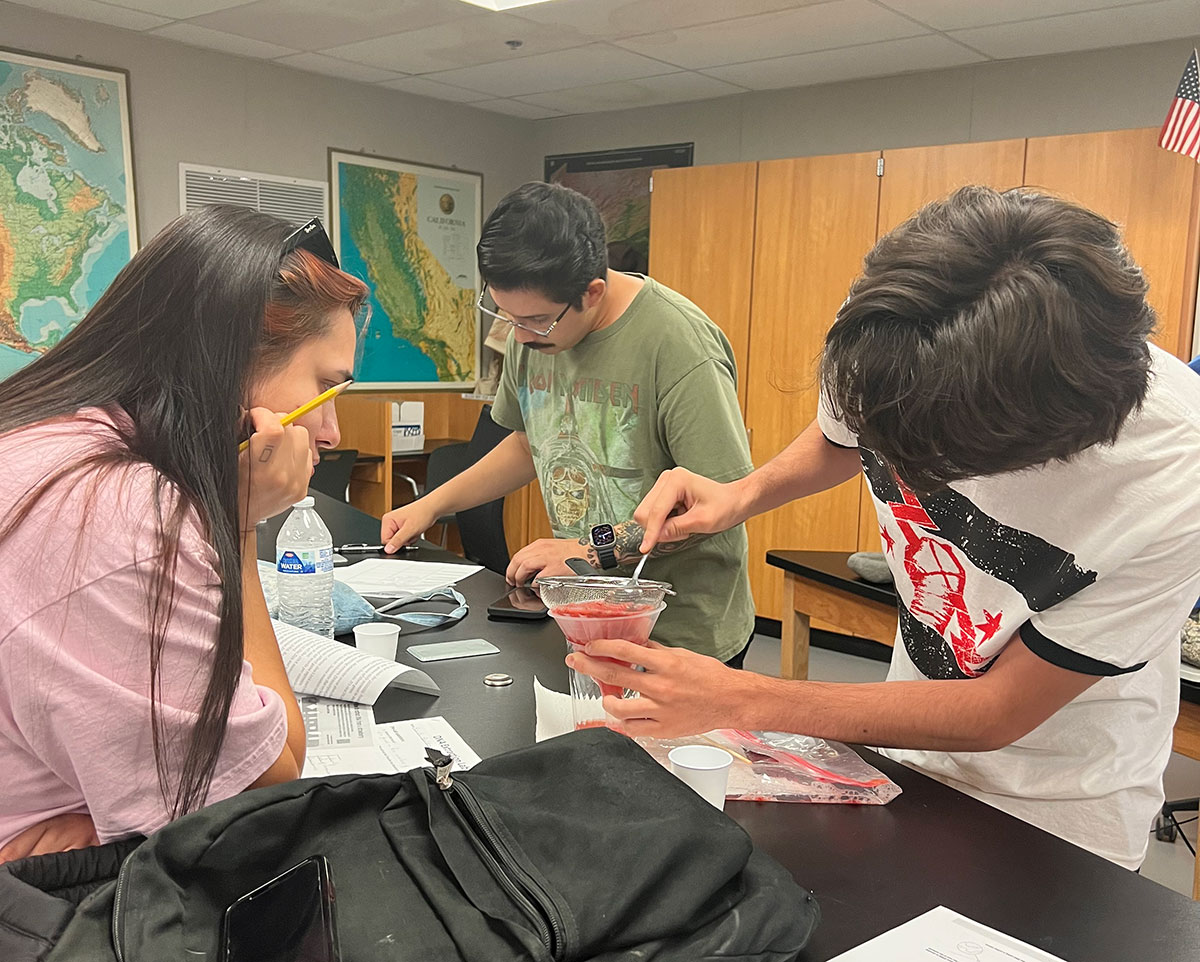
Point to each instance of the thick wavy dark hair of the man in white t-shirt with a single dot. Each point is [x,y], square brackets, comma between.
[991,333]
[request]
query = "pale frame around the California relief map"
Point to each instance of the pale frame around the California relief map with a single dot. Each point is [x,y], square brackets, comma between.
[472,181]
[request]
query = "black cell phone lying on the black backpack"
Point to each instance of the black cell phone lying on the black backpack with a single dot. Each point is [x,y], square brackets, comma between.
[290,919]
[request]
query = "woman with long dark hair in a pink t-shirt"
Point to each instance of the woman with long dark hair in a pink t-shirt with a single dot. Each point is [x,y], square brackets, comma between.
[140,676]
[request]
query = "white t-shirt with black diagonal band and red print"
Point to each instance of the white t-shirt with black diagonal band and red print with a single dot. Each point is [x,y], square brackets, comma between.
[1094,564]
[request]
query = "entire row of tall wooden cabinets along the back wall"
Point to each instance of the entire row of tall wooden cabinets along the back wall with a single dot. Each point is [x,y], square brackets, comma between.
[815,219]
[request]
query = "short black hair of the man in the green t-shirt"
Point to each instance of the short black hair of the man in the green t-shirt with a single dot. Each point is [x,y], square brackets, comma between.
[544,238]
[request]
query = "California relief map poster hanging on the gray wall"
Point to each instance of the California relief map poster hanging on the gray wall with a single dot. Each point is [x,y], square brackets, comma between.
[411,233]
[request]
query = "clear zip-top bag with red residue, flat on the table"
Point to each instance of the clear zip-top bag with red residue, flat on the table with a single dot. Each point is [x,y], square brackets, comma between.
[784,767]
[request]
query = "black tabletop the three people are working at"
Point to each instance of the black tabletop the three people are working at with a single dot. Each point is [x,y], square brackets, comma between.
[872,868]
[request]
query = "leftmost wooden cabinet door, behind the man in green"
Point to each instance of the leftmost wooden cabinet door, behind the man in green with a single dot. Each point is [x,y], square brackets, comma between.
[703,245]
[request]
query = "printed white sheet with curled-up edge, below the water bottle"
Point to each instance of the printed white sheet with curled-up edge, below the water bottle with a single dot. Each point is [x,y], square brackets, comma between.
[321,666]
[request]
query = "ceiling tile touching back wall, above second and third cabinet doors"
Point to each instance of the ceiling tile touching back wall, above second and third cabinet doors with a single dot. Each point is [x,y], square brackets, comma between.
[931,52]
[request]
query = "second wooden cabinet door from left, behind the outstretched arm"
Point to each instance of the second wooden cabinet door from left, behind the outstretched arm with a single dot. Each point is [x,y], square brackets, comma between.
[815,221]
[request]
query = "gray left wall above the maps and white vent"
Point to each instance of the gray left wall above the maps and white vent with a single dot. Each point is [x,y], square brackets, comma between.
[211,109]
